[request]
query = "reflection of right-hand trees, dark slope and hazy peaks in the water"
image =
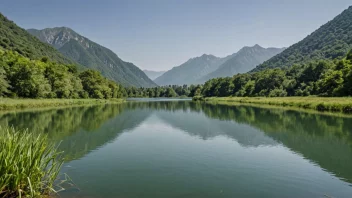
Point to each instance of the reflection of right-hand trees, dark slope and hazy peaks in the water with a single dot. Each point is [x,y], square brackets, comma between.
[325,140]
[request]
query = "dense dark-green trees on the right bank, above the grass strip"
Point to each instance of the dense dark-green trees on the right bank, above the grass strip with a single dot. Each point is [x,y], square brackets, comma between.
[323,78]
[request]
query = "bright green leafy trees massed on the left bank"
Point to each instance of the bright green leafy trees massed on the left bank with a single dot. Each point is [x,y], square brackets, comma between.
[22,77]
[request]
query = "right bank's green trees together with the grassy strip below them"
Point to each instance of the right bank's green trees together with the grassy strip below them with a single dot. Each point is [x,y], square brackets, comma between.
[330,80]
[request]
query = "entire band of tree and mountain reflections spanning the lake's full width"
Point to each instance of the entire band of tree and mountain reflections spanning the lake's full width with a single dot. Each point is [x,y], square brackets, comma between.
[325,140]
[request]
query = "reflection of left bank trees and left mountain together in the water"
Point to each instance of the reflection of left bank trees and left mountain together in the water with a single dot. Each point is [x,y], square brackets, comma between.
[81,129]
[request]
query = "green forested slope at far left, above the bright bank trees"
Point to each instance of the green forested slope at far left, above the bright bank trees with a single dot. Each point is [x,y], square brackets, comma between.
[17,39]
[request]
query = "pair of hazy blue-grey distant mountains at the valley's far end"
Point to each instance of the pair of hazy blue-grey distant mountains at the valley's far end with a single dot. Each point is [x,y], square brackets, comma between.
[200,69]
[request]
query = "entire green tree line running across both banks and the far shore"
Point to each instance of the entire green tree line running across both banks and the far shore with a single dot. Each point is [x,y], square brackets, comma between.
[25,78]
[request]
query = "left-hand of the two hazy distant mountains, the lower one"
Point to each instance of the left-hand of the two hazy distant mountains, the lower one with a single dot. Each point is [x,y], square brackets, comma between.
[191,71]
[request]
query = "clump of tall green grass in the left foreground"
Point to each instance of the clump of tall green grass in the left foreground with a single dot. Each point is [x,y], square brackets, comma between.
[29,164]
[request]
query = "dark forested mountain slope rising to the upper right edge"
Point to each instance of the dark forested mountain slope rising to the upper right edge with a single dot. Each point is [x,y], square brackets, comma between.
[330,41]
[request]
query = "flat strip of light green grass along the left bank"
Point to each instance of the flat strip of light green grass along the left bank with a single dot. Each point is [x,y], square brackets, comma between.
[12,104]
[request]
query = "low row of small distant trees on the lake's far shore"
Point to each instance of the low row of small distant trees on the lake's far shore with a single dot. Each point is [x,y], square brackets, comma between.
[164,91]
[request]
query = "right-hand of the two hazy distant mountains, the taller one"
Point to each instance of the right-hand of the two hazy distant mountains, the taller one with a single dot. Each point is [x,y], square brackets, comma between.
[245,60]
